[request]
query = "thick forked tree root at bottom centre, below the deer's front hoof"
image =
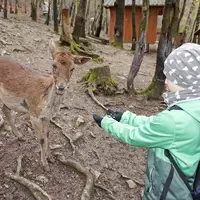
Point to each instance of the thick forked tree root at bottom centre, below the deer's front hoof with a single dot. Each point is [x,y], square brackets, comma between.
[90,177]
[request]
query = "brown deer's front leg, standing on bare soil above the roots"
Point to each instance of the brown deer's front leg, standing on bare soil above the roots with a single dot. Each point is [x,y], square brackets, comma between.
[40,126]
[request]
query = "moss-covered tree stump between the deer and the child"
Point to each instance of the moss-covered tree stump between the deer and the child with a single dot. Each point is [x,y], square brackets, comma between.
[99,80]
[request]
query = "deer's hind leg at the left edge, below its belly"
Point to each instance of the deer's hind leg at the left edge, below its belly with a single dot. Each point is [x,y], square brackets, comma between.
[7,113]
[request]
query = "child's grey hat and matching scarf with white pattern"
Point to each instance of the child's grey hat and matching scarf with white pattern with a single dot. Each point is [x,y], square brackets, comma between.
[182,67]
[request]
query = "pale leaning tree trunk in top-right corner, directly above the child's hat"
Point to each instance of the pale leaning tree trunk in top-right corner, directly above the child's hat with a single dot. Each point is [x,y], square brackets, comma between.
[190,24]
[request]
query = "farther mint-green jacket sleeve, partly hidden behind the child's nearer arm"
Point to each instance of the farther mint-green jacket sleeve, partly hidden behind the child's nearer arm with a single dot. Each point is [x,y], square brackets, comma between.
[133,119]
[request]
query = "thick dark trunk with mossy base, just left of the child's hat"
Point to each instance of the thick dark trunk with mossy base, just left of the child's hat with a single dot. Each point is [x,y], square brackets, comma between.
[156,88]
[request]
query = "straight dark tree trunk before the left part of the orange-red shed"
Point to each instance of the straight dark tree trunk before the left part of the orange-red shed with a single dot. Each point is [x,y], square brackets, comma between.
[119,24]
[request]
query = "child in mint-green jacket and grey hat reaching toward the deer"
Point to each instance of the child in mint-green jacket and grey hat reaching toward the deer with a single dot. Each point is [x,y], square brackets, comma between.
[177,130]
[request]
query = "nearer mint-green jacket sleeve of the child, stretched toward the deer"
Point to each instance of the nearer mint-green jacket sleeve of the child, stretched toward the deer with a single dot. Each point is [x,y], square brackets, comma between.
[158,131]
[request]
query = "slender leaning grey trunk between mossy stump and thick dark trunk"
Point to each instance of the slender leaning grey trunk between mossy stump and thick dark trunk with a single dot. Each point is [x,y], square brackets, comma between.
[140,47]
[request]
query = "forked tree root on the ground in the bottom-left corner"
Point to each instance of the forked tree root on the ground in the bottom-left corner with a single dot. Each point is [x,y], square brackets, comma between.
[36,190]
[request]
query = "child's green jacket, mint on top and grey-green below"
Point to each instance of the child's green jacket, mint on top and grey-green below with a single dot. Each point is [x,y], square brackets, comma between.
[176,130]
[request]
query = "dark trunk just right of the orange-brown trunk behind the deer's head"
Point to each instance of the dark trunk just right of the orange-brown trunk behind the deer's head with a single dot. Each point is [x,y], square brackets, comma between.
[79,29]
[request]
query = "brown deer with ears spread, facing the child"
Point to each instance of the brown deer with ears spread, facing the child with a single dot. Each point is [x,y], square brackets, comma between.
[25,90]
